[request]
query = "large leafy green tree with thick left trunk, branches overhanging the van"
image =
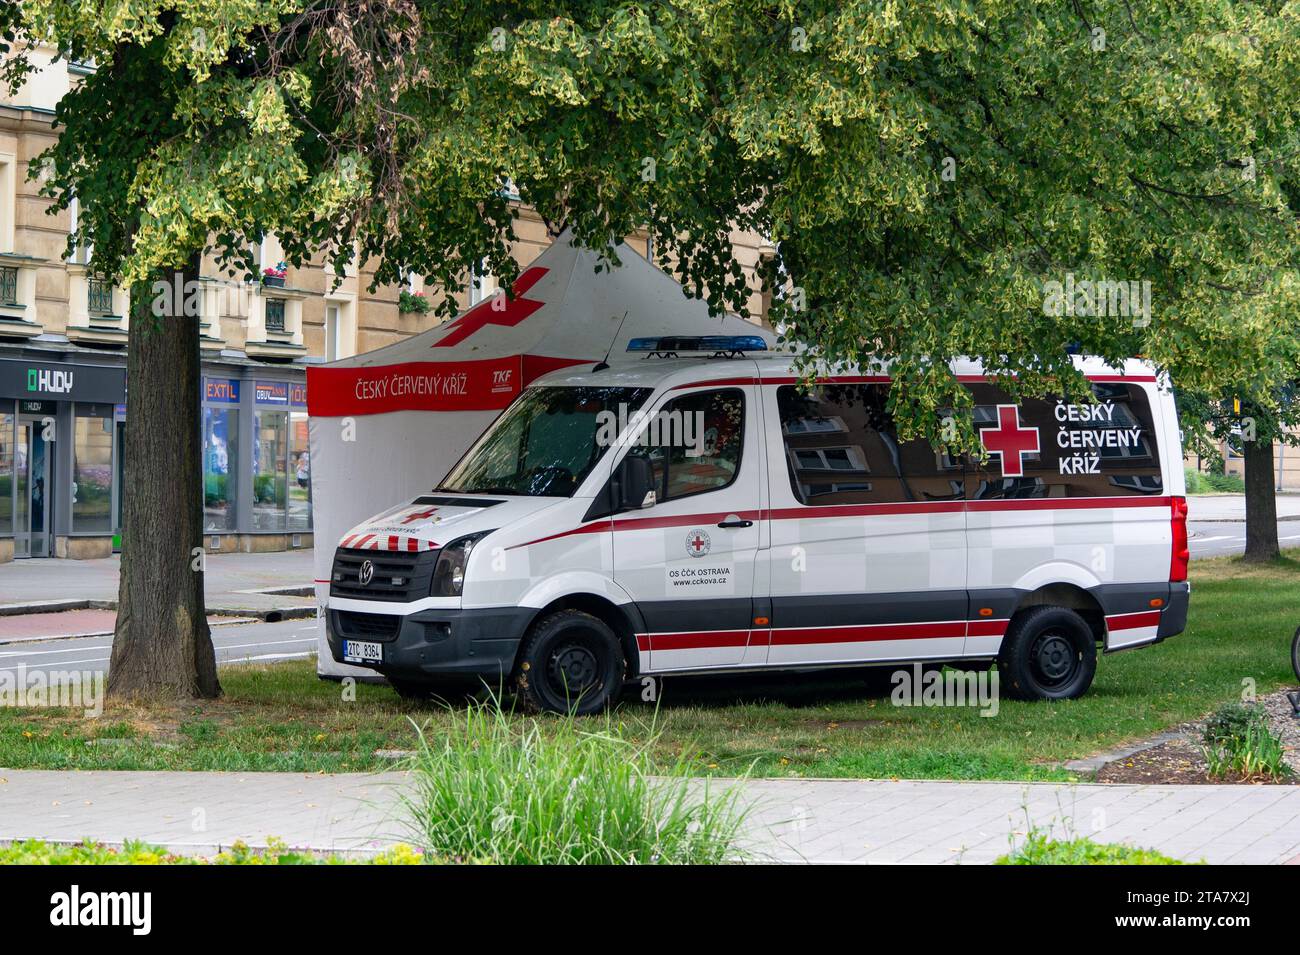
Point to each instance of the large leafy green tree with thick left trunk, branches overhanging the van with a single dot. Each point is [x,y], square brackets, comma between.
[928,172]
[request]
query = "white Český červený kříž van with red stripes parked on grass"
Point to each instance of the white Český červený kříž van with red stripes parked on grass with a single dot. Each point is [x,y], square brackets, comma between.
[697,511]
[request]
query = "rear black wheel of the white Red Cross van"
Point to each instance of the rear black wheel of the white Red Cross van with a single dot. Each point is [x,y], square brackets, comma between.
[1050,653]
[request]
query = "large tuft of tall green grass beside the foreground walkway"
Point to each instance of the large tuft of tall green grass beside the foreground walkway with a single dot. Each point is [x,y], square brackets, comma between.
[551,792]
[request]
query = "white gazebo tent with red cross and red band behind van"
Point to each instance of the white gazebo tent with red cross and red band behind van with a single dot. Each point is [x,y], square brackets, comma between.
[388,426]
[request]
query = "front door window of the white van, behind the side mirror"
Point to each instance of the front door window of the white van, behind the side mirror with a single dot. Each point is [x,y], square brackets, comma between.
[695,442]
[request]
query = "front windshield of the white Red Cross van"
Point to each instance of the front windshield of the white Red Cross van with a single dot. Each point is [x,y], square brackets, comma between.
[547,442]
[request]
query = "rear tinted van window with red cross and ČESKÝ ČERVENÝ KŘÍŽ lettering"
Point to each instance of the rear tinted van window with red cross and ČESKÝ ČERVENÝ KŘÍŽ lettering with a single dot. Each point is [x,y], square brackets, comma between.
[1103,450]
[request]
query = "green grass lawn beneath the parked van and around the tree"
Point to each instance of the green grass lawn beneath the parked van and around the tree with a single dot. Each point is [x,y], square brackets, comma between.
[281,718]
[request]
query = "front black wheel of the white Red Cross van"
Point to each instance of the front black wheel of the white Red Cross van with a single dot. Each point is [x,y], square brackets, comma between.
[570,663]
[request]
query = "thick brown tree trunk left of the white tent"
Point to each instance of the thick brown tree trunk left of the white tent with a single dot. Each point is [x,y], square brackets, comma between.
[162,645]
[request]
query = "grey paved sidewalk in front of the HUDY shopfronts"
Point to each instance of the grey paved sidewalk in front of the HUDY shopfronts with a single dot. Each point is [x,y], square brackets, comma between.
[232,581]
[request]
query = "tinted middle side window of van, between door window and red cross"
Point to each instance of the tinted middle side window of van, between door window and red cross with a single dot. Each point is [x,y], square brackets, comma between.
[842,448]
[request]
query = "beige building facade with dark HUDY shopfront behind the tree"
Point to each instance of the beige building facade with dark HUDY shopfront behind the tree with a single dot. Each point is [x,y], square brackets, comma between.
[64,407]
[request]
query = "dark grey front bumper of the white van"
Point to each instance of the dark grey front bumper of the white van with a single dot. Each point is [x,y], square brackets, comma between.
[440,643]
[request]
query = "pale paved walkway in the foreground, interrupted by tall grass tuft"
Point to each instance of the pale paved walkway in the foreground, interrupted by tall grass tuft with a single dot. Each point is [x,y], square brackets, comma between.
[791,821]
